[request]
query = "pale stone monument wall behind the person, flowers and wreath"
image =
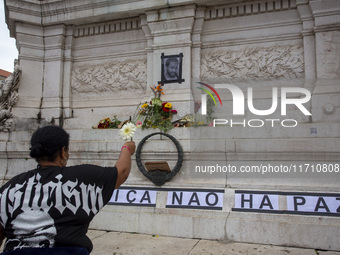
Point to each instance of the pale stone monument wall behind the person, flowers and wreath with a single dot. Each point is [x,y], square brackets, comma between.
[85,60]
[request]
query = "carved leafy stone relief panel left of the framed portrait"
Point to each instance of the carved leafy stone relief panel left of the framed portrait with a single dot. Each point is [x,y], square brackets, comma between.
[114,77]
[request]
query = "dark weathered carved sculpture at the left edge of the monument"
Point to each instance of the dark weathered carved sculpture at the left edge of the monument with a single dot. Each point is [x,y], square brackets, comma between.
[9,97]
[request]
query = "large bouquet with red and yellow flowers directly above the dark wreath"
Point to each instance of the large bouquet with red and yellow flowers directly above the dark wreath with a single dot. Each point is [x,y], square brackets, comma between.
[156,113]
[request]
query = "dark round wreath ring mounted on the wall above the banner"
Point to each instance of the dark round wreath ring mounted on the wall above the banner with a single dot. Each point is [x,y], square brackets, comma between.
[177,167]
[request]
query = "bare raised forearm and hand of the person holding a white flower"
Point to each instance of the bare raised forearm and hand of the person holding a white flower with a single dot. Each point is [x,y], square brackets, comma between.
[123,163]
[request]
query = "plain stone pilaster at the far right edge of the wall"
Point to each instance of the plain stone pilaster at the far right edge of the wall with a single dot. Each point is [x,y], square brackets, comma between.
[326,96]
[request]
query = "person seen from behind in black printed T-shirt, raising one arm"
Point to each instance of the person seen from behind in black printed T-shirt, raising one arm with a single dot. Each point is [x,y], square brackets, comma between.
[48,210]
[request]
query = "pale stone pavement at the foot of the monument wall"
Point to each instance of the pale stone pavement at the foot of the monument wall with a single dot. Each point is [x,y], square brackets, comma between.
[133,243]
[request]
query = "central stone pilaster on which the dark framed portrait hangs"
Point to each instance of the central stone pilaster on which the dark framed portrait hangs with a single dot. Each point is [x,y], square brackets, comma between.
[171,32]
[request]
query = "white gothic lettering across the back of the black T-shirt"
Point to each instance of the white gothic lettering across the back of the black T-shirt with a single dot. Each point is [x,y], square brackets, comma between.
[33,195]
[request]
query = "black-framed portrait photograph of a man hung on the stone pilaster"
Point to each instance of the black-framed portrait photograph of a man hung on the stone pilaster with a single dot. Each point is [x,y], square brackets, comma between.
[171,69]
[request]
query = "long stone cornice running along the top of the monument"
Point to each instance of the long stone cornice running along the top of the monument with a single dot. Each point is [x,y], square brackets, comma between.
[80,12]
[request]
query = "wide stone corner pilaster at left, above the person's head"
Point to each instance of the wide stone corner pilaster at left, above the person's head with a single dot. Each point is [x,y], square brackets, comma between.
[41,51]
